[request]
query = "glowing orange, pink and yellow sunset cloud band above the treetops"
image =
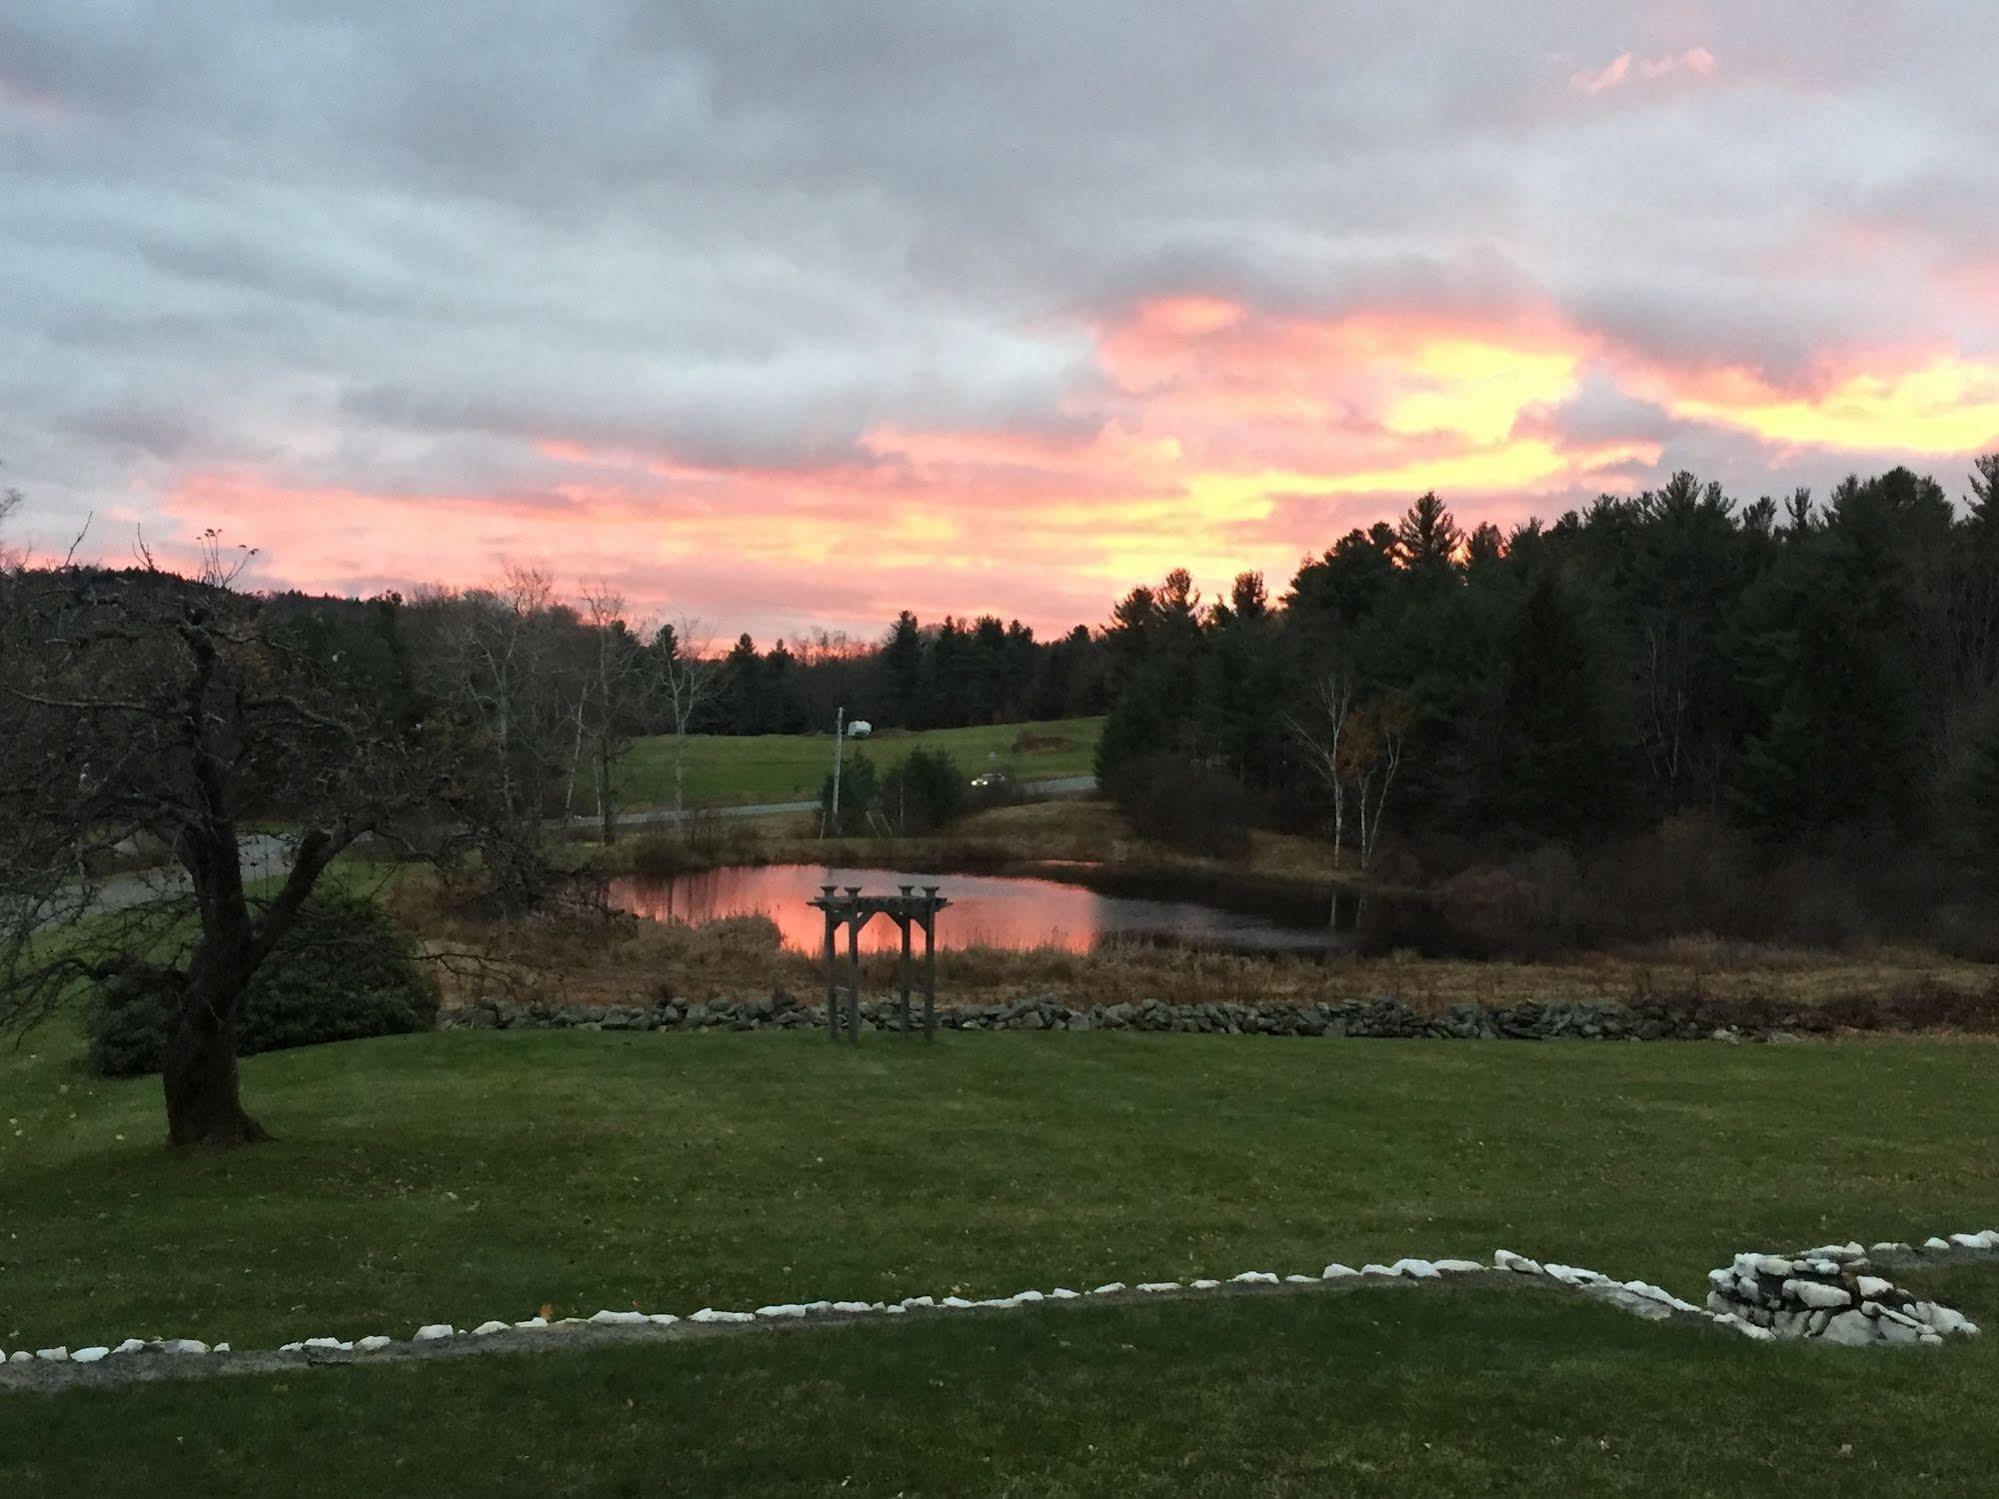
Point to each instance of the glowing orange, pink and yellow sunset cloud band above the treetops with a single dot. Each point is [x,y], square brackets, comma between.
[1220,439]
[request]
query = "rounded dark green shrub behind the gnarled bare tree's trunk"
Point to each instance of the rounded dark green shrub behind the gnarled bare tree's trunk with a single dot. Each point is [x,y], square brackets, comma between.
[343,972]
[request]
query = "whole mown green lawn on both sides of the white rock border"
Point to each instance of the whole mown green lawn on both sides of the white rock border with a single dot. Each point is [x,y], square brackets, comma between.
[467,1176]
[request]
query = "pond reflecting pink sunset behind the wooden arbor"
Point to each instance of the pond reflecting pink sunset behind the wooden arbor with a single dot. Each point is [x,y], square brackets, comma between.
[987,910]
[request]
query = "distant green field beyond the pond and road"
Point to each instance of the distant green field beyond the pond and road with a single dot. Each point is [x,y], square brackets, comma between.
[733,770]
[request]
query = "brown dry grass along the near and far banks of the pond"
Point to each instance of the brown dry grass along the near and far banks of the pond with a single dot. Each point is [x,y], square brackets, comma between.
[627,960]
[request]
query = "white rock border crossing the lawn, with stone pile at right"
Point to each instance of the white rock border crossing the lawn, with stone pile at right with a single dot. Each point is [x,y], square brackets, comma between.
[1930,1324]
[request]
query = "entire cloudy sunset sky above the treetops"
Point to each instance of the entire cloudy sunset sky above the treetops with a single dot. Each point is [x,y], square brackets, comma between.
[799,315]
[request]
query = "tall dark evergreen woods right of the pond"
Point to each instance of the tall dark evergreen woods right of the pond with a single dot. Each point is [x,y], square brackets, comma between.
[1790,673]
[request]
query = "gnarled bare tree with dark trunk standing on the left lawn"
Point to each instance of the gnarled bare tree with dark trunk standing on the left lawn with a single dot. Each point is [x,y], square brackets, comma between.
[149,707]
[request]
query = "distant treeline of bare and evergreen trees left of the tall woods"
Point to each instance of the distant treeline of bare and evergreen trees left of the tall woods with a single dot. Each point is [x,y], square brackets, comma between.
[545,697]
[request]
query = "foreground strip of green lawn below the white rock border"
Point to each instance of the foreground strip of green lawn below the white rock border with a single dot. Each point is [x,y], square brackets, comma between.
[1436,1394]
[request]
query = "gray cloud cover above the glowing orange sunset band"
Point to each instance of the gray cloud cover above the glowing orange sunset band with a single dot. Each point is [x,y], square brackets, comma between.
[393,247]
